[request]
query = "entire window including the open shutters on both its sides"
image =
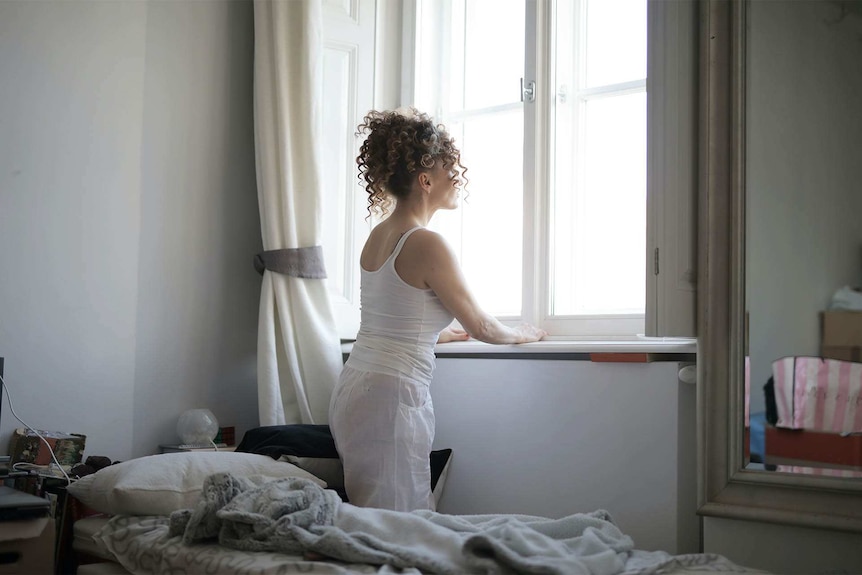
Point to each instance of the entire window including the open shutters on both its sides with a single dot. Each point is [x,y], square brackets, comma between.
[547,100]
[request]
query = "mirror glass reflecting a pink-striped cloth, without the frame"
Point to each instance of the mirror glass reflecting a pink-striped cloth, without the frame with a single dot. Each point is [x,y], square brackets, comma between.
[803,236]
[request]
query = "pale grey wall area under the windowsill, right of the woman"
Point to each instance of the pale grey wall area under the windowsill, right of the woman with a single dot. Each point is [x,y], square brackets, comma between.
[554,437]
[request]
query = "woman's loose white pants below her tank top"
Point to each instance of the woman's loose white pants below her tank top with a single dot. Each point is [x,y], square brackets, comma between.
[383,427]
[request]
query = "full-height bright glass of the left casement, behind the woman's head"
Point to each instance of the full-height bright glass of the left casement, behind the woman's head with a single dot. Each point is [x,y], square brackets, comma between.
[480,55]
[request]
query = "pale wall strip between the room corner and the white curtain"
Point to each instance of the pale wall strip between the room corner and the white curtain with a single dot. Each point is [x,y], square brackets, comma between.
[198,291]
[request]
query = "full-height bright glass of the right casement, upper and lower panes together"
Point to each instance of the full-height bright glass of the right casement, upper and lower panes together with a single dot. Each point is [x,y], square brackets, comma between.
[597,239]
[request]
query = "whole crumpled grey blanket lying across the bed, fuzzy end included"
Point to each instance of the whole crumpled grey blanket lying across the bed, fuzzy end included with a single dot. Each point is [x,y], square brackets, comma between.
[293,515]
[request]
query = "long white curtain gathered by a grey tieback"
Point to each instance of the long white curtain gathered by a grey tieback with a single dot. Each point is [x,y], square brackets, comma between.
[299,354]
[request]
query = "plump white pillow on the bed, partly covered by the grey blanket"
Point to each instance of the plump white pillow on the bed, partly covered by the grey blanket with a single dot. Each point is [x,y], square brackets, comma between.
[161,484]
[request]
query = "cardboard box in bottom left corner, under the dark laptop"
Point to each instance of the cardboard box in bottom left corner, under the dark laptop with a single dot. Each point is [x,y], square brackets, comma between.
[27,547]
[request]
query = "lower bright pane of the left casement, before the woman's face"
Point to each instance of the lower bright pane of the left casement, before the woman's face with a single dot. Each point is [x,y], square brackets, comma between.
[487,229]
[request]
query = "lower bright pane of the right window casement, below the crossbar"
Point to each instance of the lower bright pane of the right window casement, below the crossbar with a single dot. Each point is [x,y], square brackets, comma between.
[599,211]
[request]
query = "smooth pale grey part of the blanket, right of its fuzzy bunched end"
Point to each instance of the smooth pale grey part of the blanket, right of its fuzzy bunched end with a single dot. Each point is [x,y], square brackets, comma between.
[584,543]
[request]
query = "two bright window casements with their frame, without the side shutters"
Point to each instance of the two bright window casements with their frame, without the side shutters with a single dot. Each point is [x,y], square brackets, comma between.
[557,235]
